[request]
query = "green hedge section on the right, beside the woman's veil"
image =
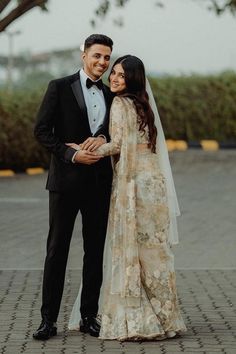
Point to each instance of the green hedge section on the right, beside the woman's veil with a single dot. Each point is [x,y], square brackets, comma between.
[196,107]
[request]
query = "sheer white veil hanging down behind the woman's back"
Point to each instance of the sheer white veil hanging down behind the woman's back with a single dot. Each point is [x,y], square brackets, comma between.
[164,162]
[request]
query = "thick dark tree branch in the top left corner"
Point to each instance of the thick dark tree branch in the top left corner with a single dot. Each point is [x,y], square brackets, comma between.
[12,9]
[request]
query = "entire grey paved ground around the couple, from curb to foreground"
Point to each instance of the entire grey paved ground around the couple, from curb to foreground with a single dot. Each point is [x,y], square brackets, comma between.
[205,263]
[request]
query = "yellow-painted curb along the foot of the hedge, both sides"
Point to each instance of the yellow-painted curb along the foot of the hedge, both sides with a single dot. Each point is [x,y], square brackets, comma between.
[172,145]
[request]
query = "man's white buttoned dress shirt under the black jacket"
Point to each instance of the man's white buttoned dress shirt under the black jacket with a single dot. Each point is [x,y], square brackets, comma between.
[95,103]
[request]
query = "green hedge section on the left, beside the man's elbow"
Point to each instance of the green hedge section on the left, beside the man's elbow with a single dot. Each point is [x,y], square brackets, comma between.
[18,147]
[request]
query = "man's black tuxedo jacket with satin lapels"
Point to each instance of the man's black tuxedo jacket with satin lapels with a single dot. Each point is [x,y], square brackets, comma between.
[62,118]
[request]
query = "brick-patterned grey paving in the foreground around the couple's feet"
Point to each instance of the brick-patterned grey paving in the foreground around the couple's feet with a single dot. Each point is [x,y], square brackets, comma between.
[206,301]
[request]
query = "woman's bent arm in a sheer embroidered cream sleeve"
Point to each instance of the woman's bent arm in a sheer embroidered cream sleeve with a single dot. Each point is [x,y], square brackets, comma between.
[116,129]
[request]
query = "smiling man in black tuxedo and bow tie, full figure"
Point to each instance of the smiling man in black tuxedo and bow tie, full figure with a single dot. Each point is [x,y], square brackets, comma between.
[76,109]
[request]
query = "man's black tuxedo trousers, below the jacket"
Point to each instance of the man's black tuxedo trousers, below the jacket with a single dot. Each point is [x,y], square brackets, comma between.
[92,200]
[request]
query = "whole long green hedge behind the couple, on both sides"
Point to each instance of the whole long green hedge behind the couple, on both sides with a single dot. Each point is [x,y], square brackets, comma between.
[191,108]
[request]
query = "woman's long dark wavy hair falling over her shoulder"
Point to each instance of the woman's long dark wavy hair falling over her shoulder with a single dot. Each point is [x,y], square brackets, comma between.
[135,80]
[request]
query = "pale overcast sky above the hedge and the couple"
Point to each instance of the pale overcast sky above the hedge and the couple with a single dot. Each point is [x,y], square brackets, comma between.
[183,37]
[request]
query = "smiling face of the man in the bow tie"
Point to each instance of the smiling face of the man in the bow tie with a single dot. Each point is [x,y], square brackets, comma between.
[96,60]
